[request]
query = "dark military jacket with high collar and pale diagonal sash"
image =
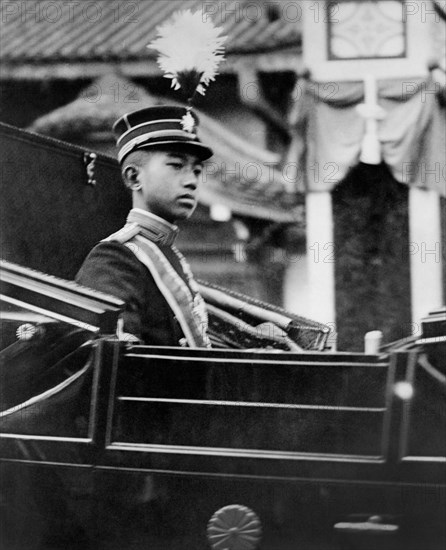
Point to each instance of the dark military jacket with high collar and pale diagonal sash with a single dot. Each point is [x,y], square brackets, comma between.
[114,266]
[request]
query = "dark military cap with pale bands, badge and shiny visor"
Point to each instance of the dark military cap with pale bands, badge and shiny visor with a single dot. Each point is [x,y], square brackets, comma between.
[163,127]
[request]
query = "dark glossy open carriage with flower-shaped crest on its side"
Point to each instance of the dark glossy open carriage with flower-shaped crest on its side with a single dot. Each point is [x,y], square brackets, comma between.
[264,441]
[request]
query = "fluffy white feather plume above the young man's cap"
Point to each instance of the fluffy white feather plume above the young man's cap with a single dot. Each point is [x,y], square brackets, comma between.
[190,51]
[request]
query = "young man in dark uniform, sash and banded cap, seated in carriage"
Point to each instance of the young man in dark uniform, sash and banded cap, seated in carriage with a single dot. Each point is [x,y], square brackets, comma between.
[161,159]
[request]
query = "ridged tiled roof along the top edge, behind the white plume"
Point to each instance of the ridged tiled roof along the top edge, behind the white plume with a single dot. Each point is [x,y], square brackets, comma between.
[119,30]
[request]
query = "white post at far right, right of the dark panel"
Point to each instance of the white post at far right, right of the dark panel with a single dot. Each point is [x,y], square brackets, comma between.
[425,251]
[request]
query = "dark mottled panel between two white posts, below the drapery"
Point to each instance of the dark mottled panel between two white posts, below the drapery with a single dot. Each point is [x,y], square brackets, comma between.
[372,263]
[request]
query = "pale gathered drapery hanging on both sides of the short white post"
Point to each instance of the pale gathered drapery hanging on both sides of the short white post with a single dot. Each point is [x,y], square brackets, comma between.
[412,134]
